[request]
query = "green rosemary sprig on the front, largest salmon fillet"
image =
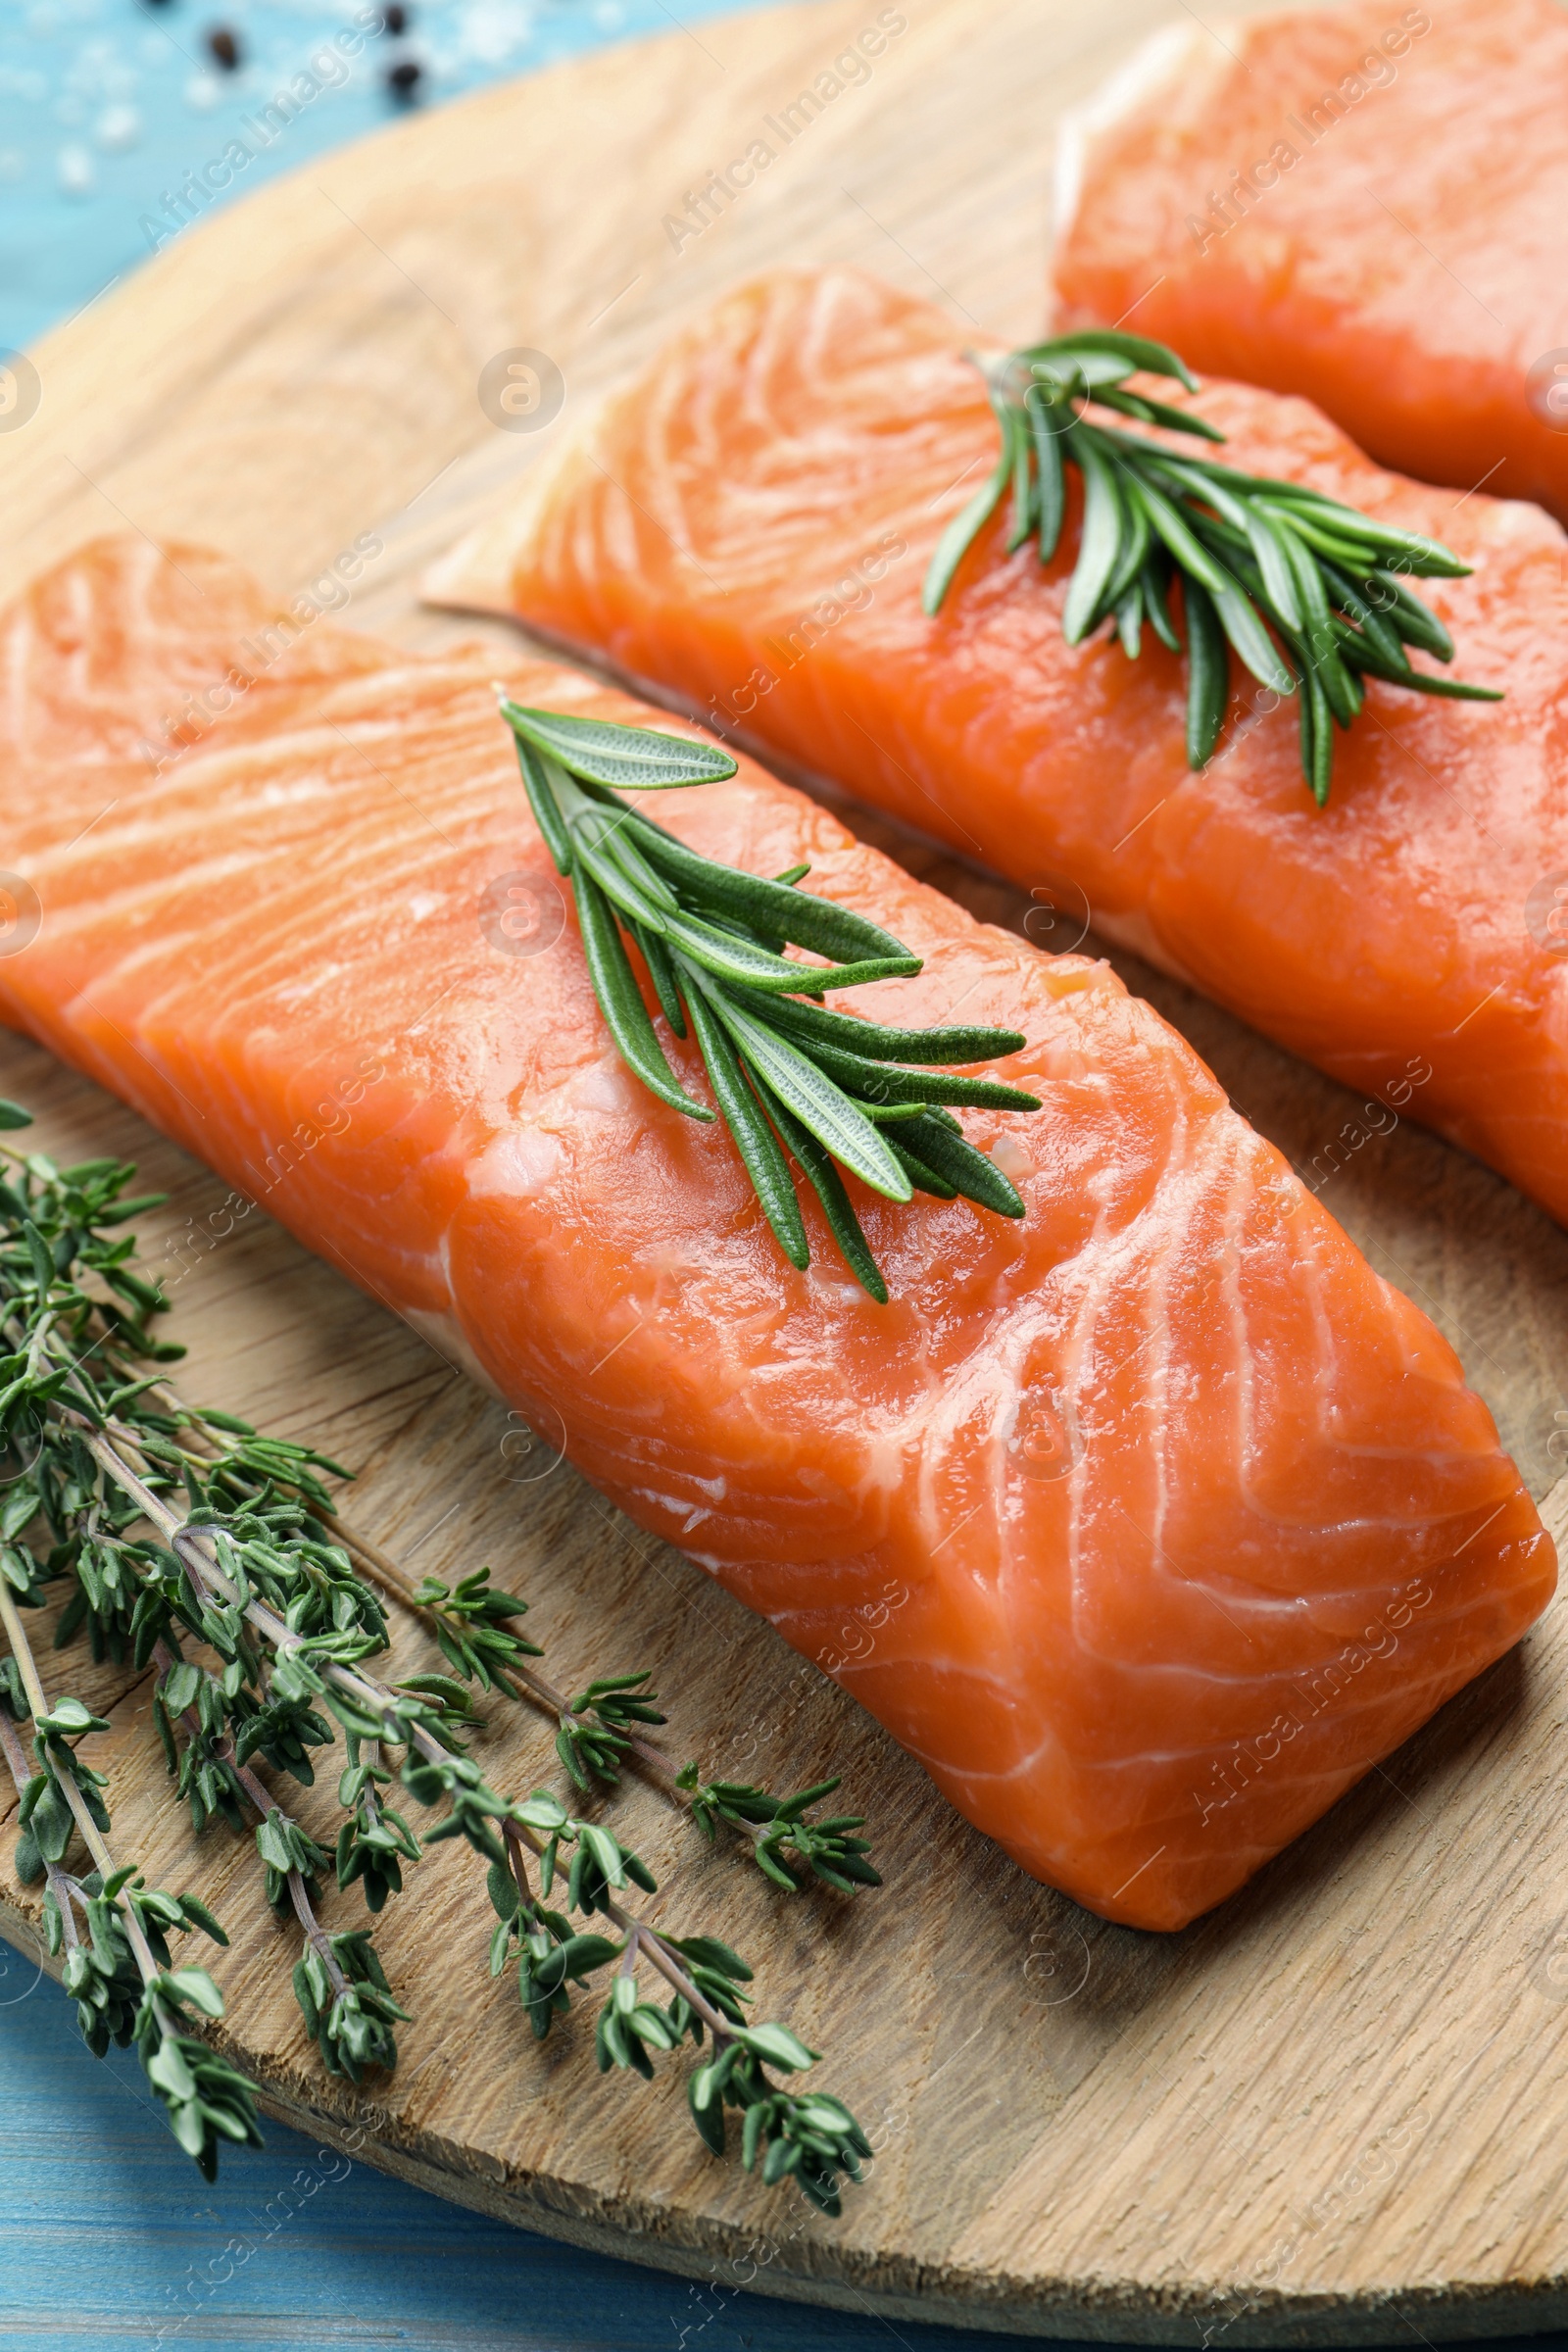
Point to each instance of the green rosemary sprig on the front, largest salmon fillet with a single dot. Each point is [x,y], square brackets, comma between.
[793,1083]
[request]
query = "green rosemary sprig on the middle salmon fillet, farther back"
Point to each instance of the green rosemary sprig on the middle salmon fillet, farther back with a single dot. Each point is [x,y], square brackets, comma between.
[1308,594]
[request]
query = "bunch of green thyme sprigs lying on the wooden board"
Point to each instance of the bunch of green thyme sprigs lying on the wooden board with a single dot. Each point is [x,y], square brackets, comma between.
[182,1532]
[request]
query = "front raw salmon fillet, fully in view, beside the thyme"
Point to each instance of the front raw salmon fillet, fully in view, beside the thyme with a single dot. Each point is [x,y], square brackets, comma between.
[1148,1523]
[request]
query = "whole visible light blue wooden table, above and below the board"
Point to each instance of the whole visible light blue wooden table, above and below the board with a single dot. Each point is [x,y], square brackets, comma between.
[107,2233]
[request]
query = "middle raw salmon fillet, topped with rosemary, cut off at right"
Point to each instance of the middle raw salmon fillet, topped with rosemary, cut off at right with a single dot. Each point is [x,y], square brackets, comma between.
[751,523]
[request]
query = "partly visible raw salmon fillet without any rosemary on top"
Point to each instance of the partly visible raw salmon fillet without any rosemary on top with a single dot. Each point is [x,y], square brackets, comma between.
[1367,206]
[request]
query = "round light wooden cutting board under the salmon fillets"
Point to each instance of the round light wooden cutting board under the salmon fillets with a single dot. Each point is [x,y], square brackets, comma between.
[1334,2111]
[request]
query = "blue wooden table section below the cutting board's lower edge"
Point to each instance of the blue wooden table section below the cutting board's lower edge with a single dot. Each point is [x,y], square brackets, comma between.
[109,2238]
